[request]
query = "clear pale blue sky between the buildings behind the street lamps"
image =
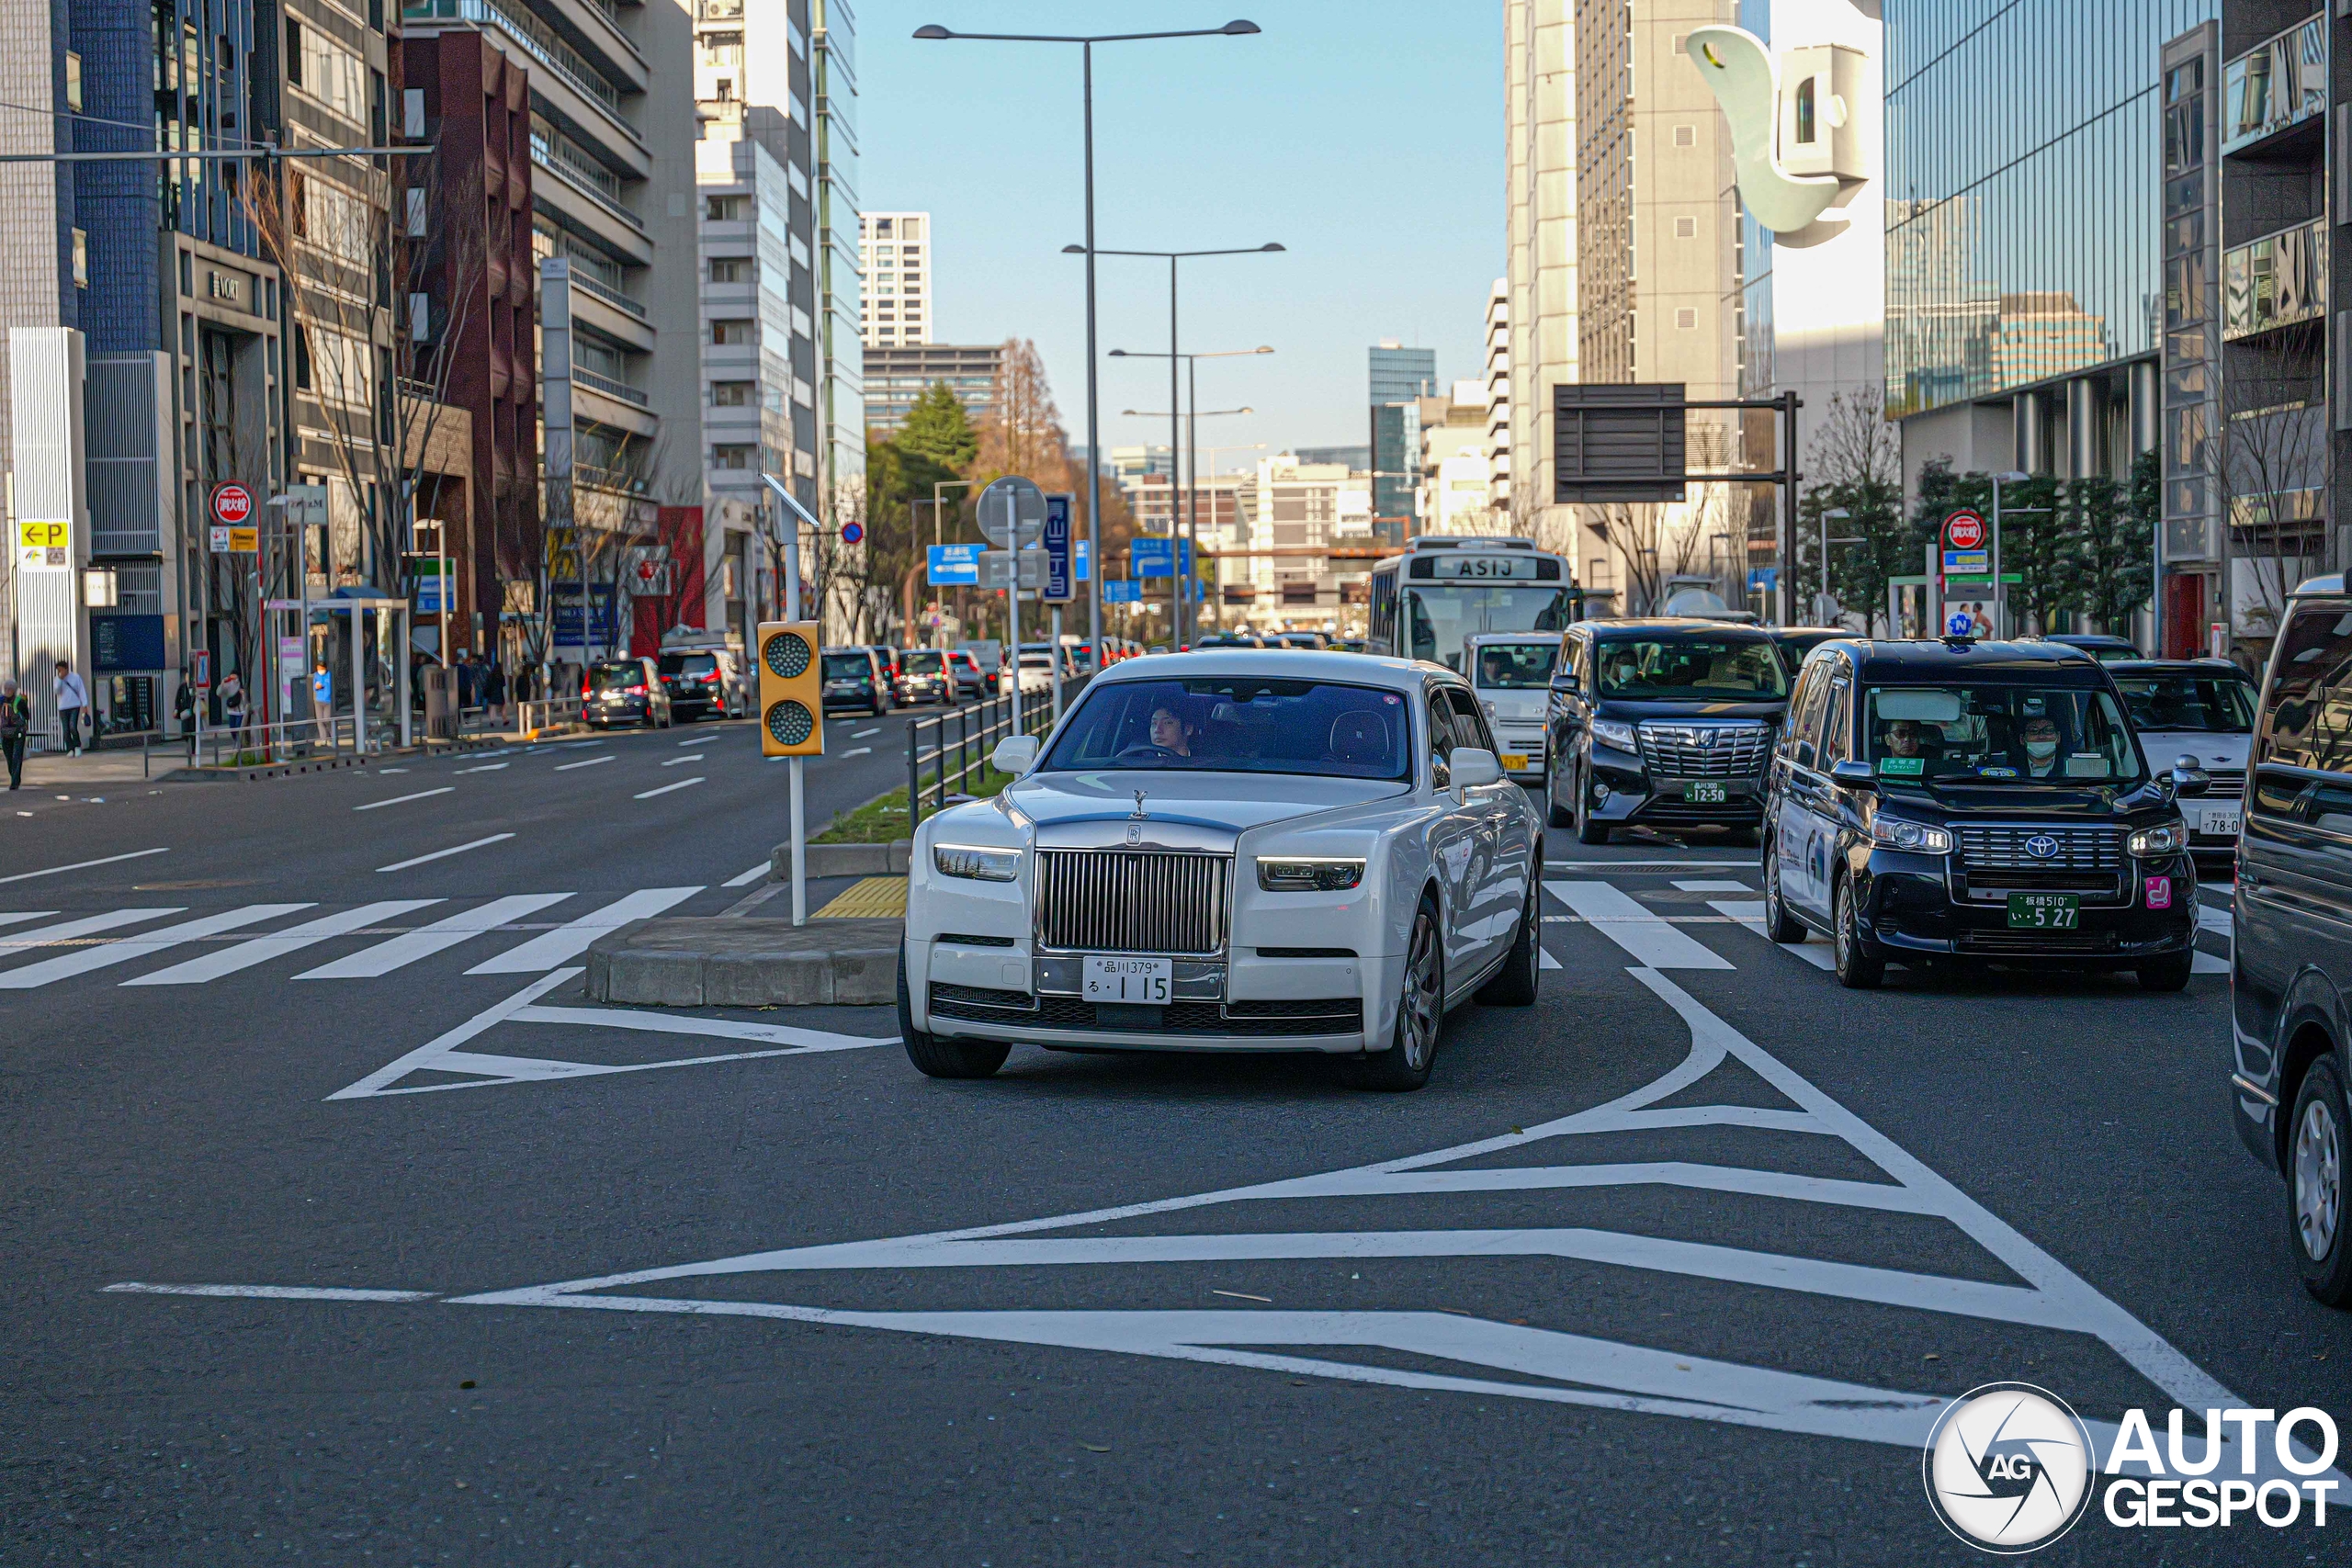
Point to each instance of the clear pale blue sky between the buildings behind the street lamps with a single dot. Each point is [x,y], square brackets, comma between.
[1365,135]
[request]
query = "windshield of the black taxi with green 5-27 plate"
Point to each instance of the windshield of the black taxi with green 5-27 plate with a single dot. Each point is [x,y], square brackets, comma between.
[2000,735]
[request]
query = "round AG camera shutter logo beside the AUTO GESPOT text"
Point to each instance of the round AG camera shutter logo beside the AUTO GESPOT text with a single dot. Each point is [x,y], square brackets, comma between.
[2010,1468]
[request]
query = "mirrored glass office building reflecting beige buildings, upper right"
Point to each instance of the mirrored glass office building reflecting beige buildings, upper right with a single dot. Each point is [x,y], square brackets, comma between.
[2024,166]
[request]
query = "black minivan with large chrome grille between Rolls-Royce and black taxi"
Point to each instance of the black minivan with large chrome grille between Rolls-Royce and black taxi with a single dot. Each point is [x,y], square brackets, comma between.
[1662,723]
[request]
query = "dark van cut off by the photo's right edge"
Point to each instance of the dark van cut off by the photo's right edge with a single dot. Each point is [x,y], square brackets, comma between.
[2292,944]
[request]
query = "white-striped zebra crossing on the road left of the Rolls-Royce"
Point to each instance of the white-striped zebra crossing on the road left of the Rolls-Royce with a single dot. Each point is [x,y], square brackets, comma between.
[39,956]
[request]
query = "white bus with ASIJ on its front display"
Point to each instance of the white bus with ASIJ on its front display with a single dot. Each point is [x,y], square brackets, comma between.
[1441,591]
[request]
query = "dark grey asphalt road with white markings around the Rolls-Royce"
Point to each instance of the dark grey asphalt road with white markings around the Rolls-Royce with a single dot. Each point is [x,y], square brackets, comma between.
[1664,1271]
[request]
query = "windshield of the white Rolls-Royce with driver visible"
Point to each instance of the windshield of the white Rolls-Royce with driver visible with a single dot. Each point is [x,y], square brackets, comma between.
[1238,725]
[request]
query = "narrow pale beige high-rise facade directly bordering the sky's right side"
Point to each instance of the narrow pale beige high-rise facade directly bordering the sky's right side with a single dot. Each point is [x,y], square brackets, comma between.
[1539,126]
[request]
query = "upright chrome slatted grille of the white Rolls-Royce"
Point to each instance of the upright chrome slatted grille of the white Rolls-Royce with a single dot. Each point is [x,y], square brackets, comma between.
[1130,902]
